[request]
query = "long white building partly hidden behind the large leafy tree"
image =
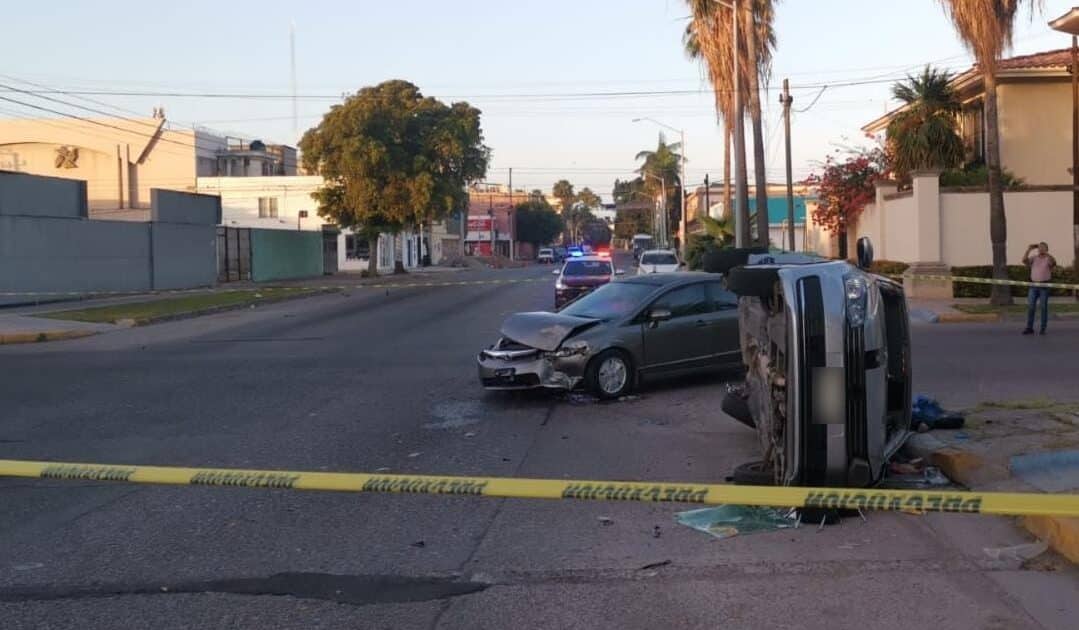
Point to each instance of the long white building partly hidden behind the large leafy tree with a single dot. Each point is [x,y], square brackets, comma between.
[285,203]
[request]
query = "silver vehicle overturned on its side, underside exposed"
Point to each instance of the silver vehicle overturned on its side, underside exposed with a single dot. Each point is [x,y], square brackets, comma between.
[827,351]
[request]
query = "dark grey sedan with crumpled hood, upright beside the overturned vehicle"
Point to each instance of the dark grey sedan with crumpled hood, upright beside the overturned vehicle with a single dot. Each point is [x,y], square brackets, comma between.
[608,340]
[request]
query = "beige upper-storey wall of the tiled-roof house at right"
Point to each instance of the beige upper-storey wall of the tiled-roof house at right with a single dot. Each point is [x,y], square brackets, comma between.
[1035,130]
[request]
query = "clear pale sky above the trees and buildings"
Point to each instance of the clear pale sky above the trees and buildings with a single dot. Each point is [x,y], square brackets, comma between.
[489,52]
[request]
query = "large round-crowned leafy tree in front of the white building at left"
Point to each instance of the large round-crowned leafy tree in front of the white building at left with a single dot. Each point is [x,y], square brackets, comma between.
[393,158]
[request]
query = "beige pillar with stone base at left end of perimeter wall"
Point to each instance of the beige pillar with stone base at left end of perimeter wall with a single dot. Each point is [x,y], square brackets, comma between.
[926,225]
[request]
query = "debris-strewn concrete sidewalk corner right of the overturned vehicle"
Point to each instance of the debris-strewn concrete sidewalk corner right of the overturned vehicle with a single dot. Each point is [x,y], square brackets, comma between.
[992,454]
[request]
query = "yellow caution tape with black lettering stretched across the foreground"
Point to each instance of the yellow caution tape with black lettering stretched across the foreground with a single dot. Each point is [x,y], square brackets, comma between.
[990,503]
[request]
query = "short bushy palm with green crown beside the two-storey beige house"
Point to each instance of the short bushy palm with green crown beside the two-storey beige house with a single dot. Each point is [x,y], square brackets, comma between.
[924,134]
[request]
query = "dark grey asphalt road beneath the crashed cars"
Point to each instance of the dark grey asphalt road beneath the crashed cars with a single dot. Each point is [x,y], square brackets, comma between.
[384,380]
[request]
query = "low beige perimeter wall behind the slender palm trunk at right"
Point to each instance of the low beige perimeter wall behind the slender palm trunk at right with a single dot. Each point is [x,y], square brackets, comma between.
[1032,217]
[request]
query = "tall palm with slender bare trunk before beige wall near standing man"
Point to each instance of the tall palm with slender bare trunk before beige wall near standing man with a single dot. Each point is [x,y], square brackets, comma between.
[986,29]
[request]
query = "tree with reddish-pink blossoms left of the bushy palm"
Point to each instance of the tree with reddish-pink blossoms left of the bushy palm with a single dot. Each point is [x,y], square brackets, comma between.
[844,188]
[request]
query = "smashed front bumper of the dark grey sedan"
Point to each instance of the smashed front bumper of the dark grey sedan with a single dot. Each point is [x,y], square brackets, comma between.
[528,369]
